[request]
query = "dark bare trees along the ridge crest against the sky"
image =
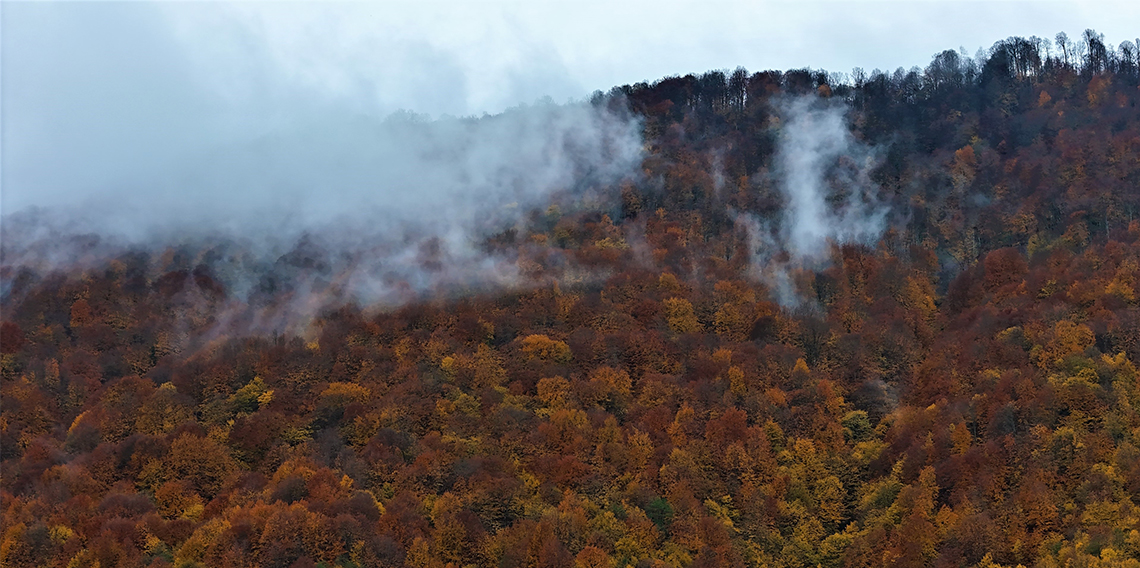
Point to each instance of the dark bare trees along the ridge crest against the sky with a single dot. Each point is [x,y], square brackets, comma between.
[947,80]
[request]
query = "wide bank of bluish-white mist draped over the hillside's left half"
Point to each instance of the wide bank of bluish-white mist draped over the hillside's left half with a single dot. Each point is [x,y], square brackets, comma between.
[377,210]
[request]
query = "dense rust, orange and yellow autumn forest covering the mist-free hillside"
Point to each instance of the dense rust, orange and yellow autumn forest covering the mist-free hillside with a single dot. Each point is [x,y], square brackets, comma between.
[963,393]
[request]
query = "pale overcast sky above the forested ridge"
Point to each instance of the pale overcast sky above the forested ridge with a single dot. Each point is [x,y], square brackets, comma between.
[92,91]
